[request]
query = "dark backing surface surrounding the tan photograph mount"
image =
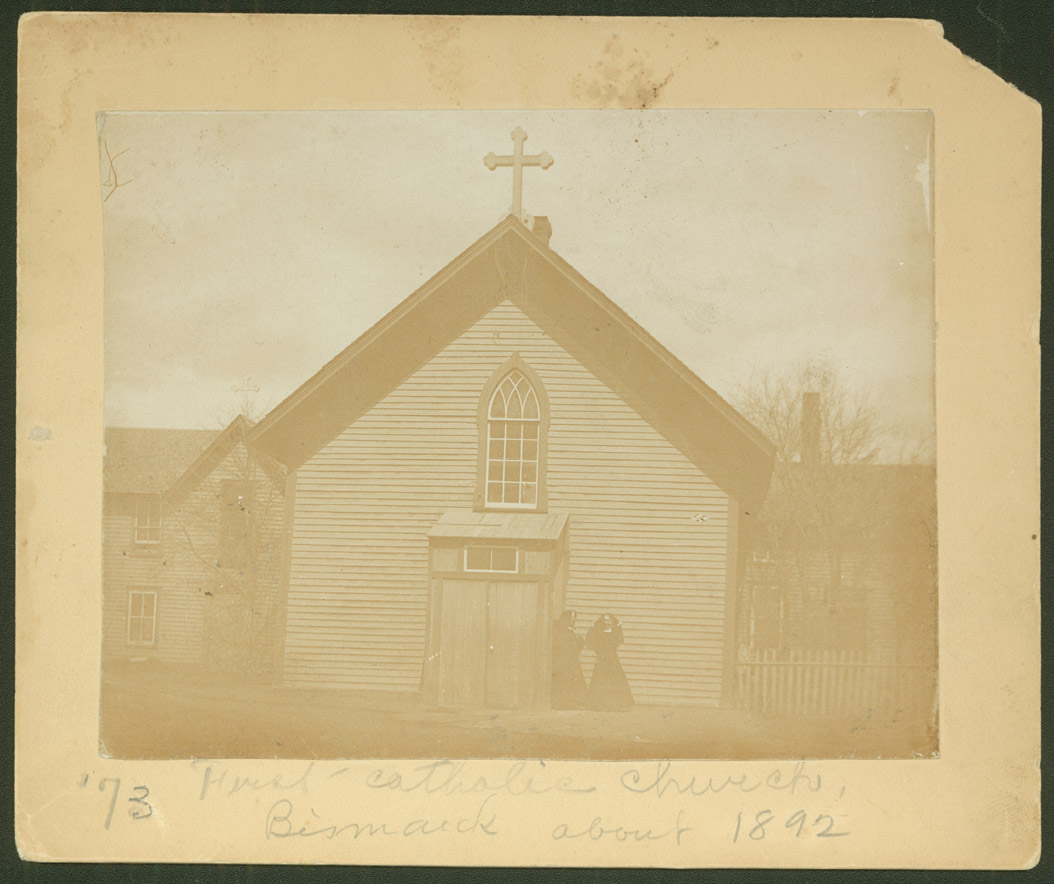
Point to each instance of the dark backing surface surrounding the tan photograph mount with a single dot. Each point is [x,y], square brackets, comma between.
[1014,38]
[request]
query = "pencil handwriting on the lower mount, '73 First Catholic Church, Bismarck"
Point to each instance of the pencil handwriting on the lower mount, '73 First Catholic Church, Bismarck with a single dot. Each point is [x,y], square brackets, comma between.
[671,803]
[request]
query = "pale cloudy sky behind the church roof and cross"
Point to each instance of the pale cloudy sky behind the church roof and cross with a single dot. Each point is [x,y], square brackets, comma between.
[261,245]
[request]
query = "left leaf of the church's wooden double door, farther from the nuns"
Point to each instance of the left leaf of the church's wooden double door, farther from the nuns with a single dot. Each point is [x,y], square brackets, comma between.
[463,644]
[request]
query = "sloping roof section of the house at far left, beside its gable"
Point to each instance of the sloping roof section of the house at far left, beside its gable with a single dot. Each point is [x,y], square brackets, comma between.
[141,461]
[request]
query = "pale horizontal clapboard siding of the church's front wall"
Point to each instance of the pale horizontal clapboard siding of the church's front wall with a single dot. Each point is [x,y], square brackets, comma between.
[359,562]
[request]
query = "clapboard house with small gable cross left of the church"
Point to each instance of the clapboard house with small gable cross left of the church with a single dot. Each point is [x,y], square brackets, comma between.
[191,542]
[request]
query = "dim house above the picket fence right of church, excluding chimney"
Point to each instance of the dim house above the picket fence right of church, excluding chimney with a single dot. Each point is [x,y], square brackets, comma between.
[870,587]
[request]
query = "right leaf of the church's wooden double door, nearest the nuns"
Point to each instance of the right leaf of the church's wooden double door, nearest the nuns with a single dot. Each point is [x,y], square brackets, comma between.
[513,644]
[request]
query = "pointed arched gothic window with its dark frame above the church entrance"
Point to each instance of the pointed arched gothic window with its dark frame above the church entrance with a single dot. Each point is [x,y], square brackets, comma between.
[514,418]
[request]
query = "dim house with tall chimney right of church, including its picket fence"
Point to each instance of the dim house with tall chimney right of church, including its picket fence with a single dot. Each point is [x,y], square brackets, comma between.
[838,606]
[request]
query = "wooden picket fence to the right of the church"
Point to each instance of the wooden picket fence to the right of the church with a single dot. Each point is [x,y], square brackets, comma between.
[825,684]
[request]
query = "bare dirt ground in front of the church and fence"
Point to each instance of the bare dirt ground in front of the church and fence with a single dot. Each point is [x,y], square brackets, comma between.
[162,714]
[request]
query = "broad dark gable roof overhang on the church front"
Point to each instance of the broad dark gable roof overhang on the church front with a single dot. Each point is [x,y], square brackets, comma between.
[577,315]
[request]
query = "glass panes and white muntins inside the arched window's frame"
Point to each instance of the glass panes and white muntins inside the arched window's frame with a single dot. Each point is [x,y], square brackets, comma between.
[514,421]
